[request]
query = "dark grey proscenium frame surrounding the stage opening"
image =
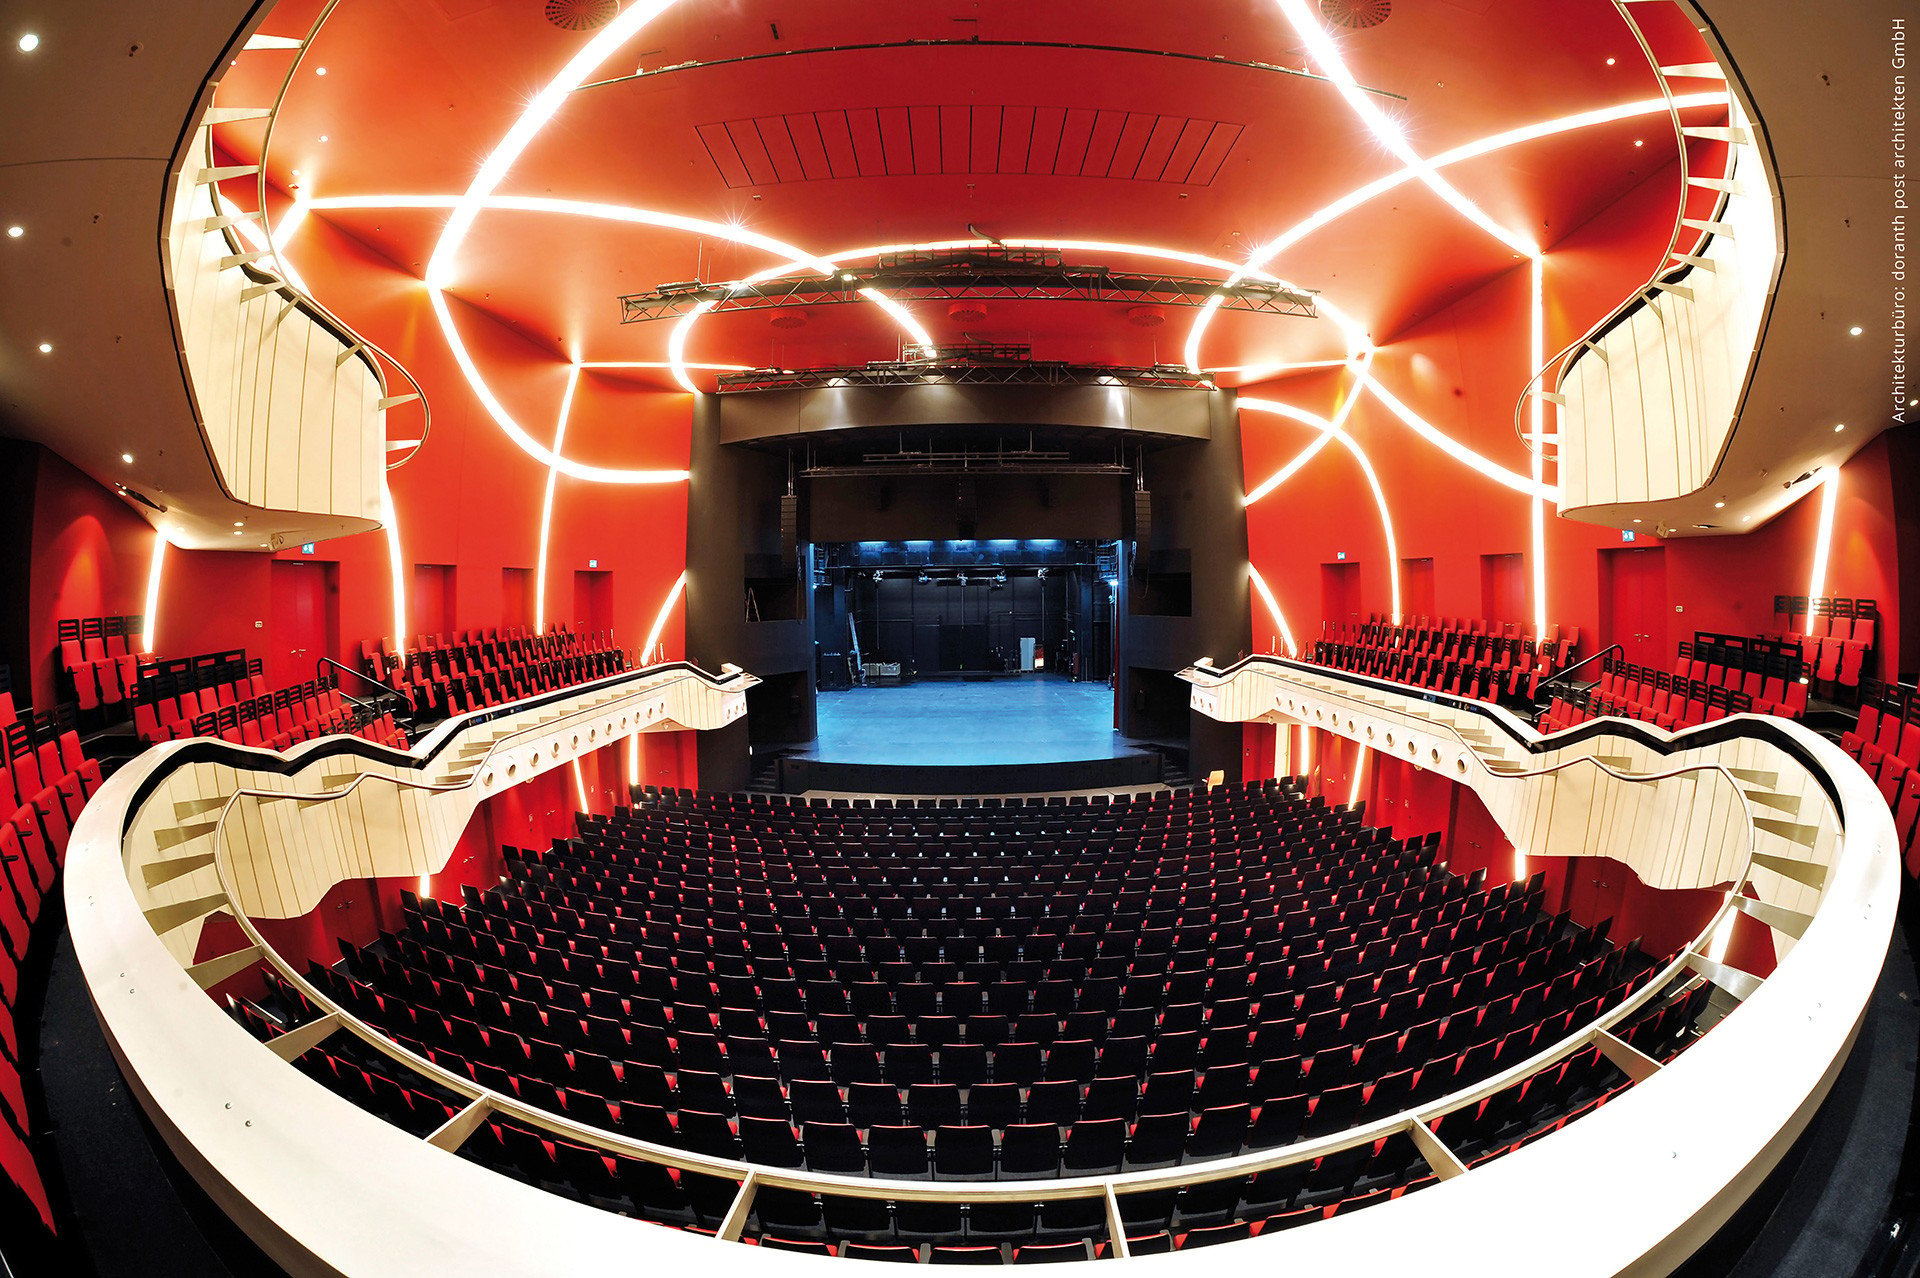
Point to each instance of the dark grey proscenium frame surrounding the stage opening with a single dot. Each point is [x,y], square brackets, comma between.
[1193,471]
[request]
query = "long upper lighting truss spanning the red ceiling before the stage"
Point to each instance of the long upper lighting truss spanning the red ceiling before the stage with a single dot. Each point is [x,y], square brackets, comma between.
[984,273]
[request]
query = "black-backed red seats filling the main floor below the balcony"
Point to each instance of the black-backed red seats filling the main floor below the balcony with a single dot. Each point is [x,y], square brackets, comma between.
[583,1047]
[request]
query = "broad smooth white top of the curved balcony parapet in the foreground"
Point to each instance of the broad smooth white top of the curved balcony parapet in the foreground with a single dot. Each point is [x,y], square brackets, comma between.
[325,1187]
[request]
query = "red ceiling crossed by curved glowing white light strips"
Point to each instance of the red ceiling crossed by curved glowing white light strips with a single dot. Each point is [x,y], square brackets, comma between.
[418,93]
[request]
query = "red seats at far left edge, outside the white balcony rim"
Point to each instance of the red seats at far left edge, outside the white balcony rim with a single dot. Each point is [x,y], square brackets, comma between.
[45,782]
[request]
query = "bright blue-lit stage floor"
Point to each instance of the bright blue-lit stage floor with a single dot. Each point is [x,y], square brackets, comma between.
[951,722]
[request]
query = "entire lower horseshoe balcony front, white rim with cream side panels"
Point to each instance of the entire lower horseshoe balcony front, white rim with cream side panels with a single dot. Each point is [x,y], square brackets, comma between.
[308,1162]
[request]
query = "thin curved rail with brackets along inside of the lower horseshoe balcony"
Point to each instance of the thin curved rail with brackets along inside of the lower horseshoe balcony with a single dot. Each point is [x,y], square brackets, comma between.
[1414,1124]
